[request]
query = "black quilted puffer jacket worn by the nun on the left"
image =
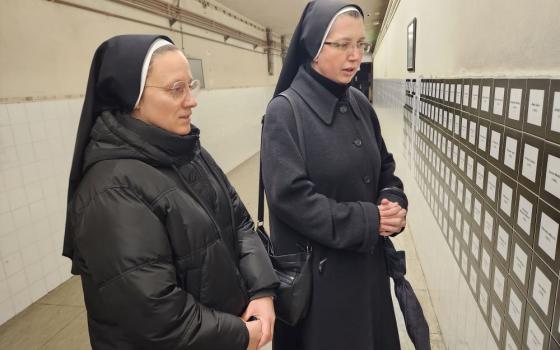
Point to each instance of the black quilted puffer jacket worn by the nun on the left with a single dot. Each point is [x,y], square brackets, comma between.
[158,272]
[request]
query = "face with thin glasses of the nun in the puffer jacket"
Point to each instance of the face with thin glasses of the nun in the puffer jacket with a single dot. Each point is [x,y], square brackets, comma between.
[162,103]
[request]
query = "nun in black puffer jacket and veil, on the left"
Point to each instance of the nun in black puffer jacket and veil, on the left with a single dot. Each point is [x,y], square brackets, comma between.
[164,246]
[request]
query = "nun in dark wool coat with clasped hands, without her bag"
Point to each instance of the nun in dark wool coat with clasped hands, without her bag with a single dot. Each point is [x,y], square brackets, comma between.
[337,191]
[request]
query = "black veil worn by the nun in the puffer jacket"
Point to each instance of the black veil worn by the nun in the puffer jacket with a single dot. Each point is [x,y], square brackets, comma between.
[113,85]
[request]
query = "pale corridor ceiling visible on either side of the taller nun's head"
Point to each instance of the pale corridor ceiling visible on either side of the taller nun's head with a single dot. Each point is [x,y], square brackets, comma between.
[282,15]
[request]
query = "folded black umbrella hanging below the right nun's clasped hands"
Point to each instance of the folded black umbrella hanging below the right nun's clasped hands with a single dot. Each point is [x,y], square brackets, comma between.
[416,325]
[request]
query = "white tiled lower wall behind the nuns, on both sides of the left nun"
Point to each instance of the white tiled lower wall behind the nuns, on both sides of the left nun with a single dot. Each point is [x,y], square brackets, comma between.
[36,148]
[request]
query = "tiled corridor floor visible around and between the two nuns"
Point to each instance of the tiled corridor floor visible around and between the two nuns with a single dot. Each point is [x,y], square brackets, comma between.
[58,320]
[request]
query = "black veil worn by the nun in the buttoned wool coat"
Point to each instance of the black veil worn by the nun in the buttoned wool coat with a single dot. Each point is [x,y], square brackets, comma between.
[307,38]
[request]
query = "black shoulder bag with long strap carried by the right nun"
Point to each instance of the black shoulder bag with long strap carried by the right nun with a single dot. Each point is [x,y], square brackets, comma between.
[293,270]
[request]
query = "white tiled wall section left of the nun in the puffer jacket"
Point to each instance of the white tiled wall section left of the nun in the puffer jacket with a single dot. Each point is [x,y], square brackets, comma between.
[36,144]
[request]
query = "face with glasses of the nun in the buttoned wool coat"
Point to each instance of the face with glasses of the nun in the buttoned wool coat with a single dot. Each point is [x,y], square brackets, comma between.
[337,64]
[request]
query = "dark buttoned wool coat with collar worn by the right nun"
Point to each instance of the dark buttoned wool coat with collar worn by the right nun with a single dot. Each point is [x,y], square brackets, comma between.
[329,197]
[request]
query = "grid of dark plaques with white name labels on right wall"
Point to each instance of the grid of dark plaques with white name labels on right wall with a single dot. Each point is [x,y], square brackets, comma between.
[488,162]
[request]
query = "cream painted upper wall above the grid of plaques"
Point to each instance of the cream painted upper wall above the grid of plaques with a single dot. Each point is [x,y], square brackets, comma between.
[475,38]
